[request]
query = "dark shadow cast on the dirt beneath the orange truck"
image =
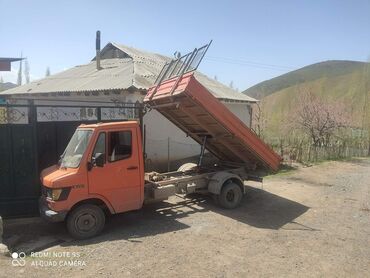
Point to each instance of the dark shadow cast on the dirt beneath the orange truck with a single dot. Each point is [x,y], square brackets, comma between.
[259,209]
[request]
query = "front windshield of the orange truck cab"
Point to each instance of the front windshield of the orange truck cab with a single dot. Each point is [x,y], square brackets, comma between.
[76,148]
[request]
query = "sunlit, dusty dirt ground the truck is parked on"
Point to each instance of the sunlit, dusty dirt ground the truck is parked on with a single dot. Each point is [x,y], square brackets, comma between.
[313,222]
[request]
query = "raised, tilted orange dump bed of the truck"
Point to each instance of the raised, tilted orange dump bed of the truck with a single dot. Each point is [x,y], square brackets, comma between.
[192,108]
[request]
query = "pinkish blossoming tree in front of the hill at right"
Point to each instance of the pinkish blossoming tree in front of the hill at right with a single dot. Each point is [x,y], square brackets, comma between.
[319,119]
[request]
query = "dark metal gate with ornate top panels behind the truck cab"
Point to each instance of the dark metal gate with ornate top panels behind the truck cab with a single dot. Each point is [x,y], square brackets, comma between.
[32,137]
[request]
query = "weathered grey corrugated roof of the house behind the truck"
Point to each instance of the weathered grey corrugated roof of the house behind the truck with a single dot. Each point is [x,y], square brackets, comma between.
[137,69]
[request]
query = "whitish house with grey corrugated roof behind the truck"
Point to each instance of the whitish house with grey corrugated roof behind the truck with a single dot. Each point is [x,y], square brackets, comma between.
[124,75]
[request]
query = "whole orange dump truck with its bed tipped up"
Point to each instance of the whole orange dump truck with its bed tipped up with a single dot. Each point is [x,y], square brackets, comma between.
[102,169]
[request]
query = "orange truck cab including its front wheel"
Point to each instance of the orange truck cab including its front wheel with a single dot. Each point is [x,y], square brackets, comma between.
[101,171]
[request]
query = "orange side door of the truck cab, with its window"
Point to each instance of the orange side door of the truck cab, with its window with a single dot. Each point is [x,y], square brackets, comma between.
[119,180]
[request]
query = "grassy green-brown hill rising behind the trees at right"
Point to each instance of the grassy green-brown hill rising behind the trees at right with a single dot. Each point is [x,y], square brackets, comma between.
[335,81]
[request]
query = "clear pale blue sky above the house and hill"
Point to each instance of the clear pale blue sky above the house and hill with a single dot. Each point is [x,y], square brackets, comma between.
[252,40]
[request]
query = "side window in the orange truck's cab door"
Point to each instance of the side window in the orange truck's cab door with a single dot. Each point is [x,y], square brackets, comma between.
[120,145]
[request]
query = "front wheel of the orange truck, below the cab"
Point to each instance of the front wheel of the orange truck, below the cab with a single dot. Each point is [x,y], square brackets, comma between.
[85,221]
